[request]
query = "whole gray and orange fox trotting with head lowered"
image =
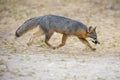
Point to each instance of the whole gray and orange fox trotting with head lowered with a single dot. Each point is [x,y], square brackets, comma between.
[48,24]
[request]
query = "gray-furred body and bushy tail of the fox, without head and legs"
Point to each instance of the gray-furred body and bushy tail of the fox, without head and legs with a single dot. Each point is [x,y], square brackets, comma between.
[49,22]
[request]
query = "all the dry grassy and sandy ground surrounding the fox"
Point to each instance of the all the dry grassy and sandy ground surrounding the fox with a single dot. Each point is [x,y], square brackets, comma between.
[74,61]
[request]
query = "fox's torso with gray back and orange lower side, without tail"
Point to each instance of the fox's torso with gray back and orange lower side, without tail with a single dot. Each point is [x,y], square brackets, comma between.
[62,25]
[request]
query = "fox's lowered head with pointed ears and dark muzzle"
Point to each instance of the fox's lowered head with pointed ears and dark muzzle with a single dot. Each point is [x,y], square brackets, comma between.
[93,35]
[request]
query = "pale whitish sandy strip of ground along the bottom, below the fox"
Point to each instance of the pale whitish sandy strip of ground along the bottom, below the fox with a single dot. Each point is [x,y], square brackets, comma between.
[48,66]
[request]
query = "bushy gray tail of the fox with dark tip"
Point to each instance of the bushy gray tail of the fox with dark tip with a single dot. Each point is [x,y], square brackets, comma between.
[27,25]
